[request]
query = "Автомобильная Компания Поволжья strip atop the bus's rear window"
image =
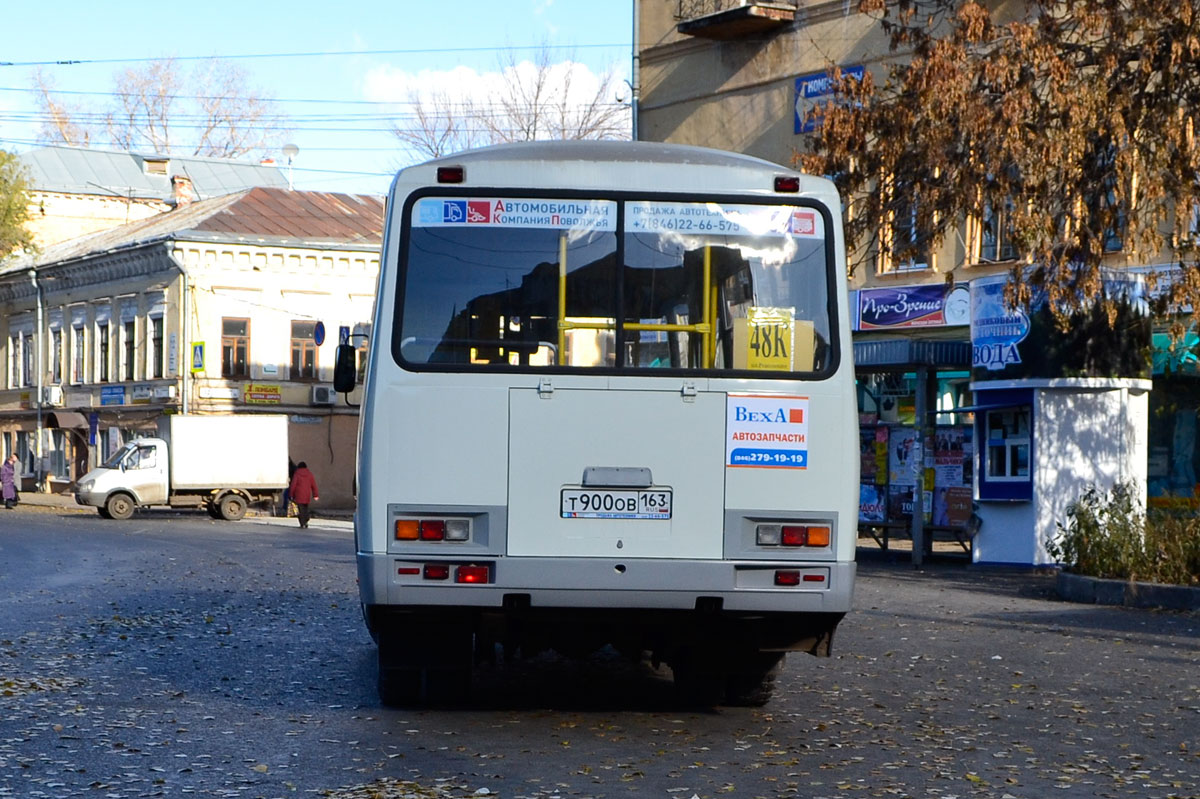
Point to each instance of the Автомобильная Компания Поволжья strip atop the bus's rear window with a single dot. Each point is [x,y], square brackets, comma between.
[515,213]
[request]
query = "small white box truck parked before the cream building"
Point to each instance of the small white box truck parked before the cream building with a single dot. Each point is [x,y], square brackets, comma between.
[220,464]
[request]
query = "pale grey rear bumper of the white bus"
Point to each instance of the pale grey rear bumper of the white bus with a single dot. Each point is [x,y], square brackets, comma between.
[730,586]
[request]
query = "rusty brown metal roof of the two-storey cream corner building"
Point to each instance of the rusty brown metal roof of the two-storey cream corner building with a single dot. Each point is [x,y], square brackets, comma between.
[269,217]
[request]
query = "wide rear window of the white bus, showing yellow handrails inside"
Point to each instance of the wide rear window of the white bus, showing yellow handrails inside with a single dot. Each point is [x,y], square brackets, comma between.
[526,284]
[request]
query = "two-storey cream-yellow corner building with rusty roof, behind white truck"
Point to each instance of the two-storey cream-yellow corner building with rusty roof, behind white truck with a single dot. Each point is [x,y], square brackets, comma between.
[211,308]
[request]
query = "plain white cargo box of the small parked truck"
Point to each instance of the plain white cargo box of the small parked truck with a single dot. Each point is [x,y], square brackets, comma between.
[242,452]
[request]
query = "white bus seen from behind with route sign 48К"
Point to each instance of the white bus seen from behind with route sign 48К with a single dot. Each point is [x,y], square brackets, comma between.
[609,401]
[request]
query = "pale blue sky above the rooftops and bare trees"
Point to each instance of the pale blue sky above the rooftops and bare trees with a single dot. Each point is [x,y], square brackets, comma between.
[350,49]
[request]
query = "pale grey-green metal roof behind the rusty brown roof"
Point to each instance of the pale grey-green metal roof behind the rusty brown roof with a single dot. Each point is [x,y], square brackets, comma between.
[83,171]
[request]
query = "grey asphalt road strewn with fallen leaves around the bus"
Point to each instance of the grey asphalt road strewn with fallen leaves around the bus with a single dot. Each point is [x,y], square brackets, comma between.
[177,657]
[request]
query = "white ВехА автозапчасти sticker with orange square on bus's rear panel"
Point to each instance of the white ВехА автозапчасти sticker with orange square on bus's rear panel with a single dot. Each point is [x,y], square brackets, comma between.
[766,432]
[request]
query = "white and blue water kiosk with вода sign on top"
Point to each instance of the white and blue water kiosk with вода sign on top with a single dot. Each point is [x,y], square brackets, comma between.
[1057,412]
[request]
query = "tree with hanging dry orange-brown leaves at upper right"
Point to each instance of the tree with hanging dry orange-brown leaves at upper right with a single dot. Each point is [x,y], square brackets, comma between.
[1081,118]
